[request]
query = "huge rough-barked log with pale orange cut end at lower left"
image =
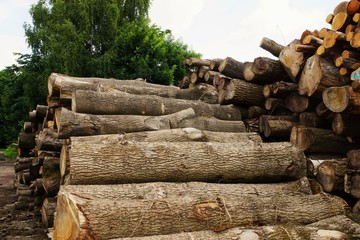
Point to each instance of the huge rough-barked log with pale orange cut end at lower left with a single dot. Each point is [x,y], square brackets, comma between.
[83,216]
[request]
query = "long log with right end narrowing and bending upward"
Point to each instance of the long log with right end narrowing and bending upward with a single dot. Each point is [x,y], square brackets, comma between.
[78,124]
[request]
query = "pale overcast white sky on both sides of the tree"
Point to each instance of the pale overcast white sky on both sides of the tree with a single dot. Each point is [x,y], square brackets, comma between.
[214,28]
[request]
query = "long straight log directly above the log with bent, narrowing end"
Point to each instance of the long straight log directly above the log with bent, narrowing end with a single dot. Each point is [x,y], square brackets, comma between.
[121,103]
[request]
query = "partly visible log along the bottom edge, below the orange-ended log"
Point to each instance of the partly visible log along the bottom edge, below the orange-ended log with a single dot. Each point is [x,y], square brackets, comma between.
[338,227]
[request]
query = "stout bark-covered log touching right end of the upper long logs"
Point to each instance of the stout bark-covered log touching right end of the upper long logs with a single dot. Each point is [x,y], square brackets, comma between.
[242,92]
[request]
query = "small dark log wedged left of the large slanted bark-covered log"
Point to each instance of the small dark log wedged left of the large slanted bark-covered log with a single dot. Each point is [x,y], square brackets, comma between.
[279,89]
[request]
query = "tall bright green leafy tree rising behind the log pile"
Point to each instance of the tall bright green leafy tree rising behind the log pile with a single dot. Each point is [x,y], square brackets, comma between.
[111,38]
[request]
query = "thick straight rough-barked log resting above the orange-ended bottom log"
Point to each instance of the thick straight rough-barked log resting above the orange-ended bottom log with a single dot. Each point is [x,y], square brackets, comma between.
[122,162]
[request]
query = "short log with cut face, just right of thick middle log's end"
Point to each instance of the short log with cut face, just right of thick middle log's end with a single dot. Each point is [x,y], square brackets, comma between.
[330,175]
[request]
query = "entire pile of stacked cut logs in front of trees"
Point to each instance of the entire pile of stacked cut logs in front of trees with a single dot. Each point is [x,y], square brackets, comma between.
[237,150]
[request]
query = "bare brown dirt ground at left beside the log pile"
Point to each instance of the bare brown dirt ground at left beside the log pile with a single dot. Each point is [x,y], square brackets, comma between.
[16,224]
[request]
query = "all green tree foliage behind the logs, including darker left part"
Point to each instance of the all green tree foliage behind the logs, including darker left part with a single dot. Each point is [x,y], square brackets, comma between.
[86,38]
